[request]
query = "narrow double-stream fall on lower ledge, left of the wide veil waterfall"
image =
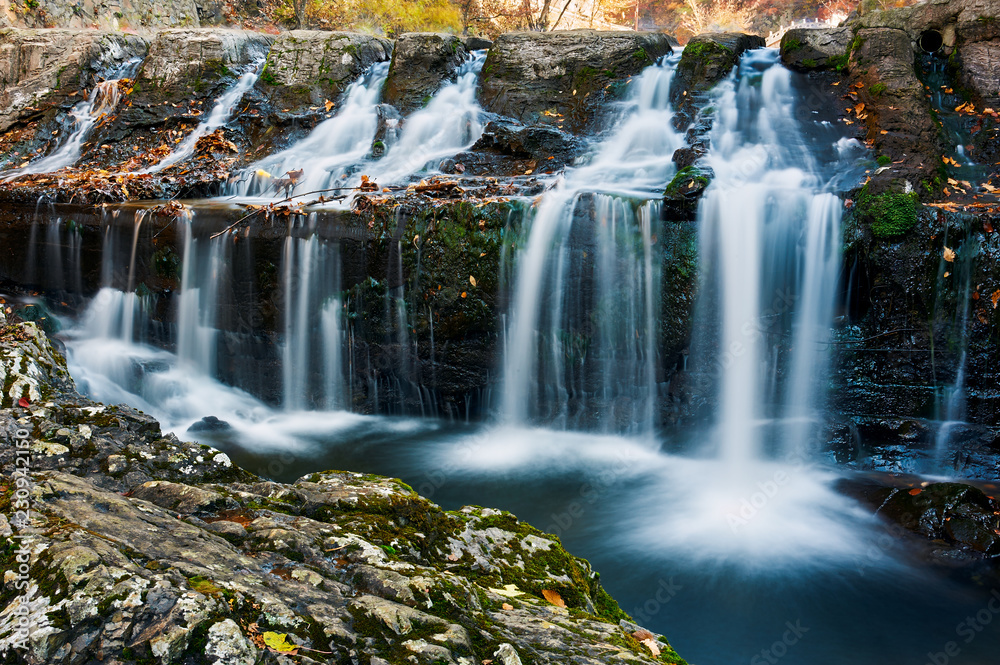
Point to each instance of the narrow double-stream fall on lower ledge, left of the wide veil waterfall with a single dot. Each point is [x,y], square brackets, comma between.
[313,320]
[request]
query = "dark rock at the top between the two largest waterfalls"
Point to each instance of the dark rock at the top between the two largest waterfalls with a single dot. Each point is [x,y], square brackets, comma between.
[706,60]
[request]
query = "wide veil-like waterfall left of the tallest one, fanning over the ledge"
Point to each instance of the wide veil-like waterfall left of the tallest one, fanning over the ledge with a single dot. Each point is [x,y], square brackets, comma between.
[583,328]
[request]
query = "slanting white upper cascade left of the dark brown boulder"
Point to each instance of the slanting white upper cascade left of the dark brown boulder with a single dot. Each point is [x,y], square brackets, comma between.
[331,149]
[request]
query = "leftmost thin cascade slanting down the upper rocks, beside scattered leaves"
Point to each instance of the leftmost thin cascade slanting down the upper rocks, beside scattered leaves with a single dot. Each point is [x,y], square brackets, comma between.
[102,101]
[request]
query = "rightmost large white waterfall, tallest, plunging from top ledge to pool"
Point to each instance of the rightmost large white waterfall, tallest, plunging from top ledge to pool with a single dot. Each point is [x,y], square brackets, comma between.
[769,238]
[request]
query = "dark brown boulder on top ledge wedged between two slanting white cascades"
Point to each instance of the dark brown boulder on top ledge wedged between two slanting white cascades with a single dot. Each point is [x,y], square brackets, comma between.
[421,63]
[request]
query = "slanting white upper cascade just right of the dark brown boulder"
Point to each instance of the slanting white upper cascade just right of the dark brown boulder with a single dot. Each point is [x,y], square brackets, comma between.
[446,126]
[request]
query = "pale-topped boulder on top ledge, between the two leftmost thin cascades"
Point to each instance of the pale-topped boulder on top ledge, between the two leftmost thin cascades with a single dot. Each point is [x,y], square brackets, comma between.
[186,62]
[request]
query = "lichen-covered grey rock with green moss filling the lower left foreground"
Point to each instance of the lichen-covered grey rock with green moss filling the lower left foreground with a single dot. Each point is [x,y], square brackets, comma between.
[141,548]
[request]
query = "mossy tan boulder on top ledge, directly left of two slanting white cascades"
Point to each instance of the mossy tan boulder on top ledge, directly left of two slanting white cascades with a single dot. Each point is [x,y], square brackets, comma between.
[309,67]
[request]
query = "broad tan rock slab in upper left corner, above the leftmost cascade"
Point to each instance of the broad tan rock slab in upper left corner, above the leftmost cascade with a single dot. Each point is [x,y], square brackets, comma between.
[50,65]
